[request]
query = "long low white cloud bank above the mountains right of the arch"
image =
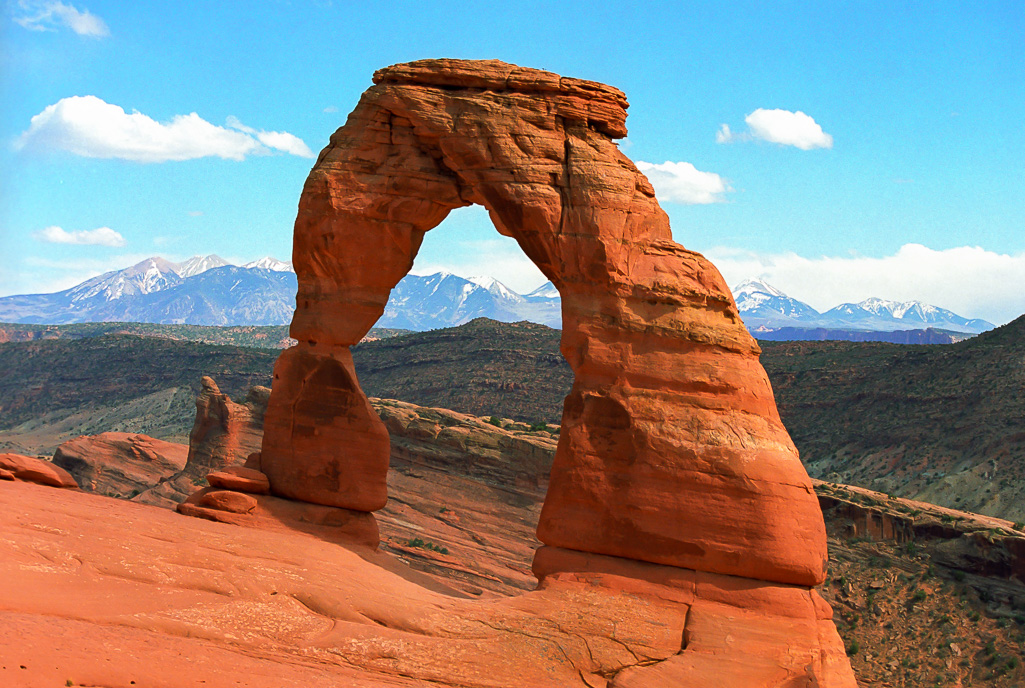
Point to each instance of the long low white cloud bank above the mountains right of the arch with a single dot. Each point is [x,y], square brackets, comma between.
[969,280]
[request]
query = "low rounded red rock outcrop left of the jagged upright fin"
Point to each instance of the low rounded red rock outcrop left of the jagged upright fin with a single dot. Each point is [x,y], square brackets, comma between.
[120,464]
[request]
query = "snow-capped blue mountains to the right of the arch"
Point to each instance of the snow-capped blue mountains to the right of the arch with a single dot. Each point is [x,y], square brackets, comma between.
[765,309]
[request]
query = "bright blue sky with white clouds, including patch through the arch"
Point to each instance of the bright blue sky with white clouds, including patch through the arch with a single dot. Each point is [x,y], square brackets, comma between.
[871,149]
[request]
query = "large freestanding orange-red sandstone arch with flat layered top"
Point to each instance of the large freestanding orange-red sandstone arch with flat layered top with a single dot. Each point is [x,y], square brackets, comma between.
[672,450]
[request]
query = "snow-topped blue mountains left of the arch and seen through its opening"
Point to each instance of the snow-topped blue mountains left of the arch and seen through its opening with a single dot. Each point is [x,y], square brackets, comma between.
[209,291]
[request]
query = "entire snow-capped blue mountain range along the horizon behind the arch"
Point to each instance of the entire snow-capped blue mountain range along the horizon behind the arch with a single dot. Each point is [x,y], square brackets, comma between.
[209,291]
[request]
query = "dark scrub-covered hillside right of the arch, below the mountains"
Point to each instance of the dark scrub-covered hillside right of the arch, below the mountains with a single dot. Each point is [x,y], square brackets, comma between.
[945,424]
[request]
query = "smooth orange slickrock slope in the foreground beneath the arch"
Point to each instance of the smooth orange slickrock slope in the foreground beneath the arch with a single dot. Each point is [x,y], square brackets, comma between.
[148,596]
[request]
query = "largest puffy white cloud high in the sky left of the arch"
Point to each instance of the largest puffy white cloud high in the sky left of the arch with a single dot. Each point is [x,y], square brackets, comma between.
[88,127]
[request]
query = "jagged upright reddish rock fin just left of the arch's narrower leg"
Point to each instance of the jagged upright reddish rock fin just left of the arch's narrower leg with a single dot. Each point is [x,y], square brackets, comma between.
[225,434]
